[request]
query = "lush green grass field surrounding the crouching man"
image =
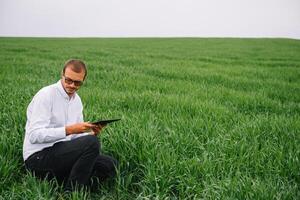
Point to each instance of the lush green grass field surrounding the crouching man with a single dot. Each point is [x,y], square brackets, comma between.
[201,118]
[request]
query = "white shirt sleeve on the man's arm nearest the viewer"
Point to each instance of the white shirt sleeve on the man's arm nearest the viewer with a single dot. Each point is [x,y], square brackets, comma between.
[39,129]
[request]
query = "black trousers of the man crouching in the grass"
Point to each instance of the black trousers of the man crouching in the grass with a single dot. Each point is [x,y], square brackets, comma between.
[73,163]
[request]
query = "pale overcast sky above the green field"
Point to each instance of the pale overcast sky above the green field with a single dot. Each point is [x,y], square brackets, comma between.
[150,18]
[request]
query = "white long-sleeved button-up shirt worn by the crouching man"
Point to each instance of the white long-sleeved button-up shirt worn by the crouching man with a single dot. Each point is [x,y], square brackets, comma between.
[50,110]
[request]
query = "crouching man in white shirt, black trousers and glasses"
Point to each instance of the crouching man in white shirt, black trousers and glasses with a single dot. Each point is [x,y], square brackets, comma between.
[57,142]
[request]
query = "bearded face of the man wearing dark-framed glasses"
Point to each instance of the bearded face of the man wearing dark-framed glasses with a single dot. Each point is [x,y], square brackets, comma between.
[71,80]
